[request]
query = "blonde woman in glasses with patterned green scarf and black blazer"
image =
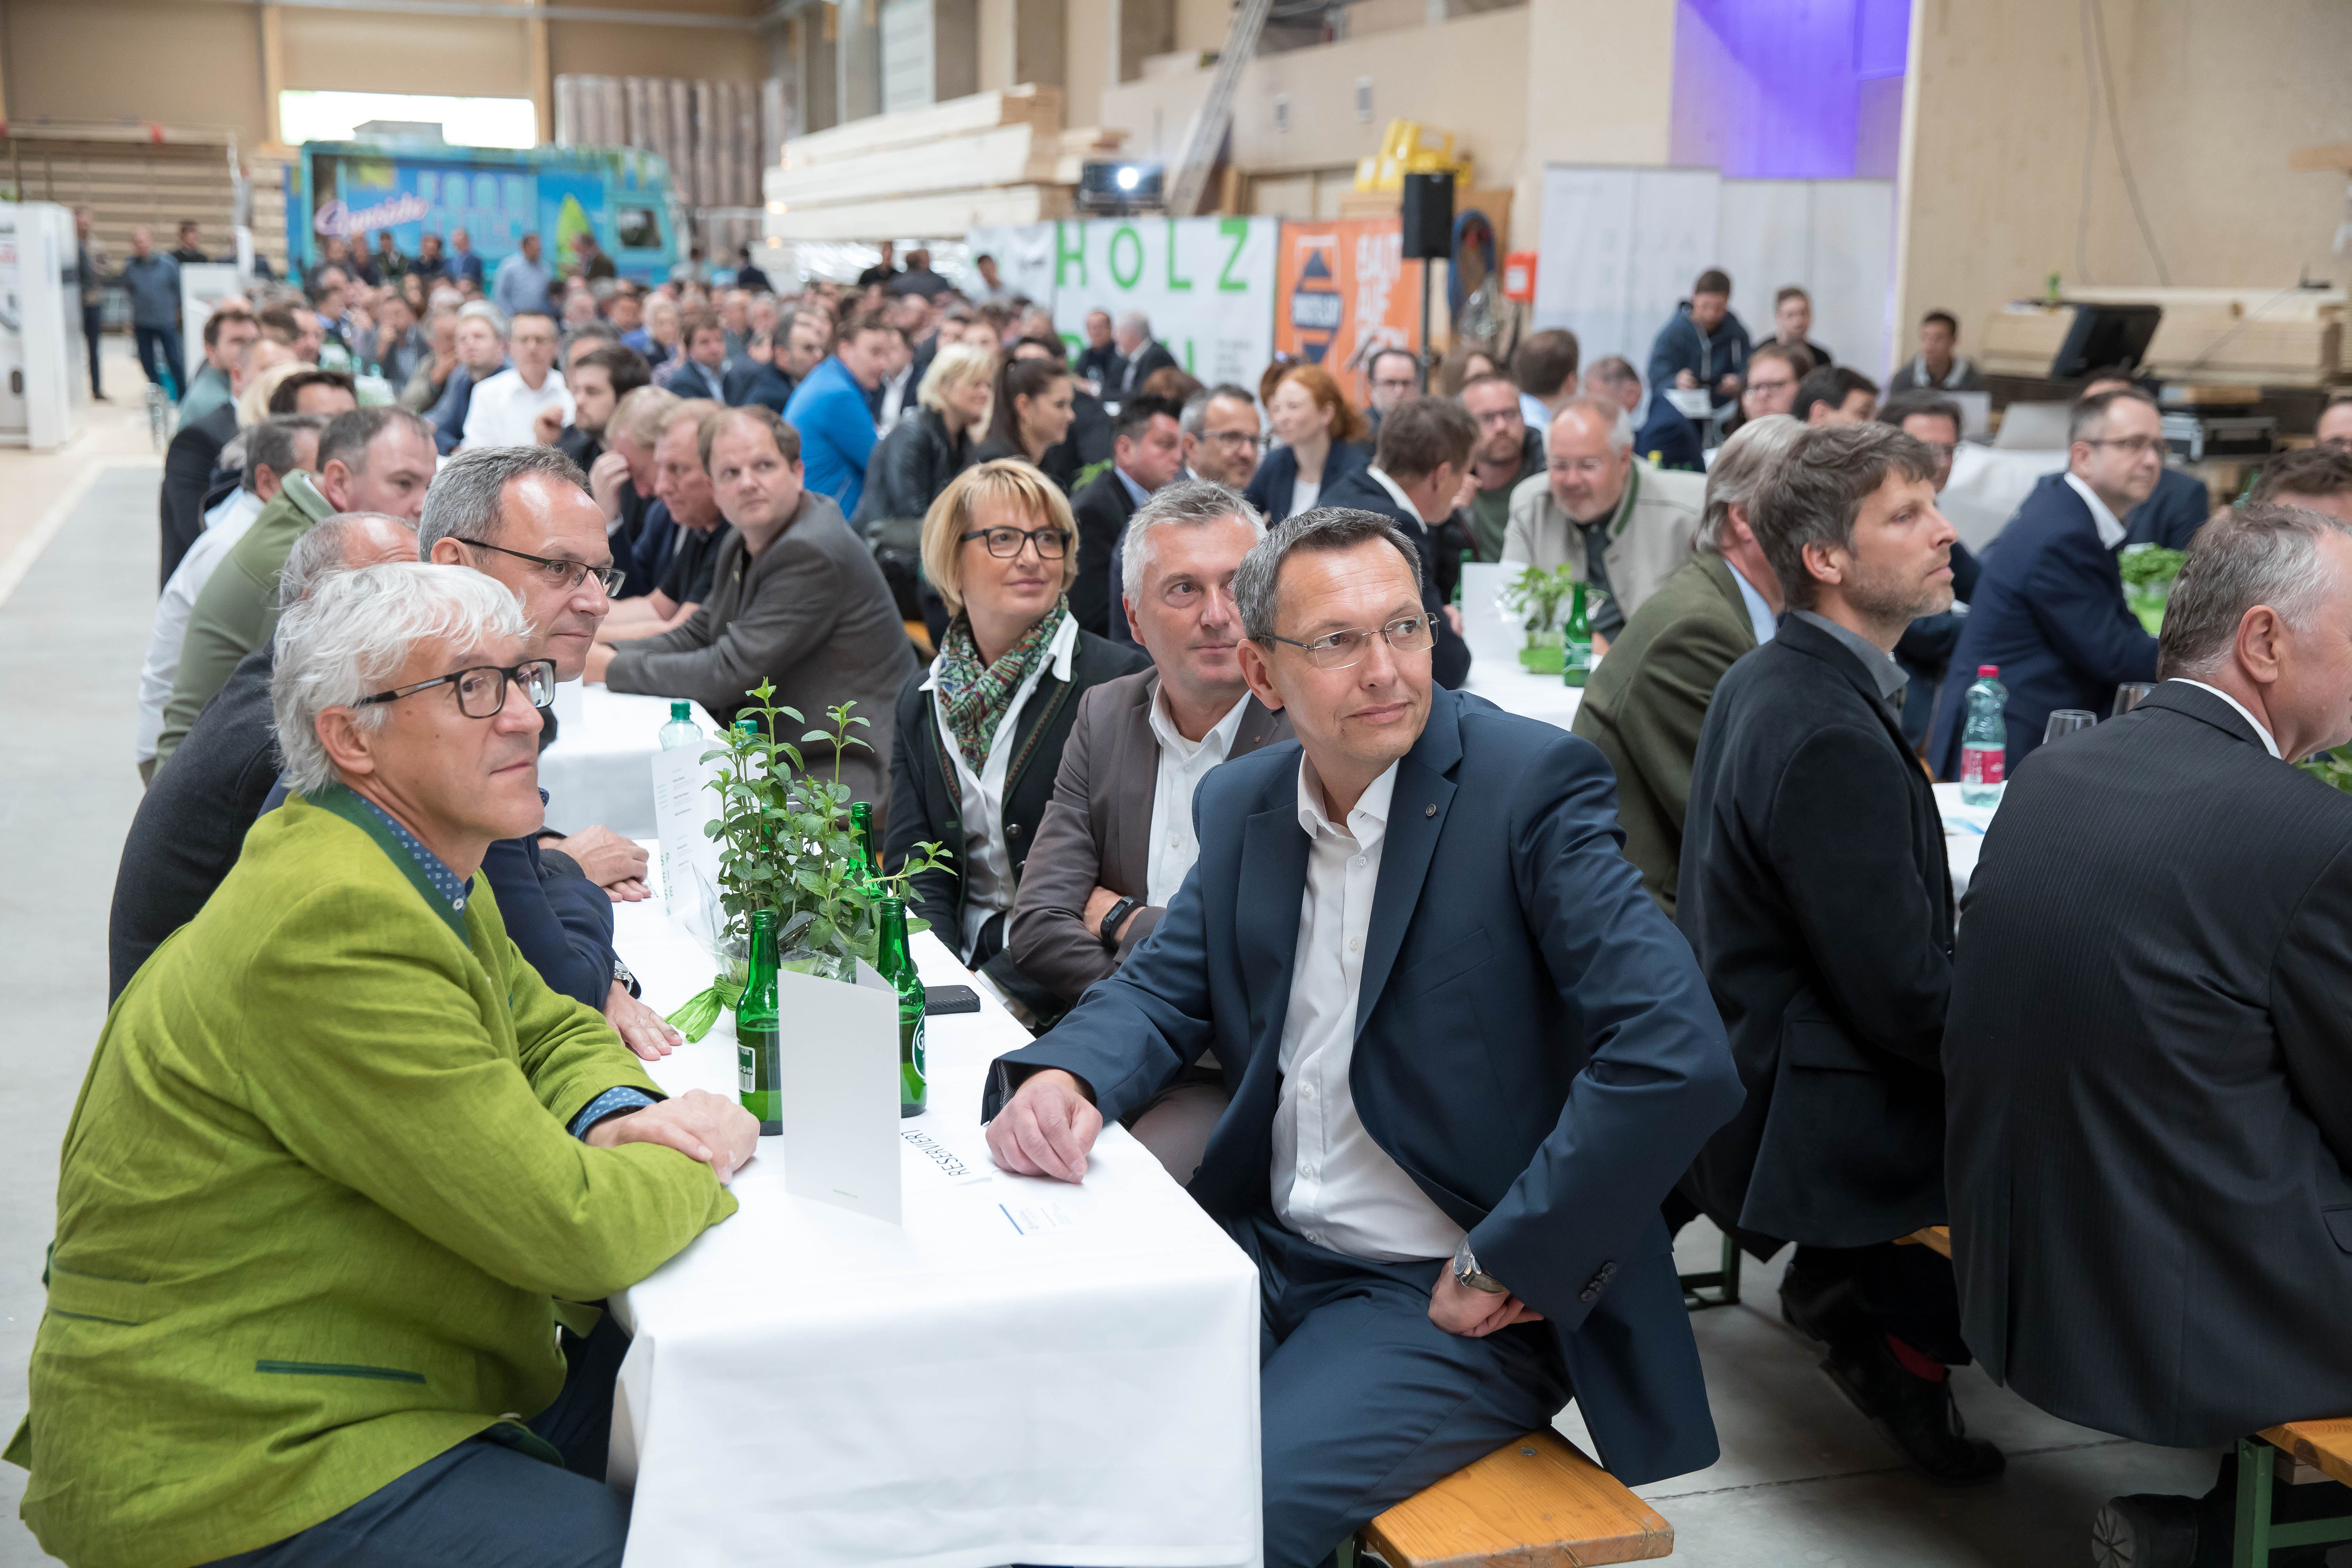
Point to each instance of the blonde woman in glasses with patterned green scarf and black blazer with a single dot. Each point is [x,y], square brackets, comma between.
[980,737]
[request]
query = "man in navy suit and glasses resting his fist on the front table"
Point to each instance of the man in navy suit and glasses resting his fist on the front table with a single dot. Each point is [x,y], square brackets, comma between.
[1469,1061]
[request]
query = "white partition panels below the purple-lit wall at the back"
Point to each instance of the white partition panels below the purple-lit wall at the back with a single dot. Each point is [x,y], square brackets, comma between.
[1622,248]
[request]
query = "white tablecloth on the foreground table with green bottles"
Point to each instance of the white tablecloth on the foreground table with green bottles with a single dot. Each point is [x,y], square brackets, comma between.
[1022,1374]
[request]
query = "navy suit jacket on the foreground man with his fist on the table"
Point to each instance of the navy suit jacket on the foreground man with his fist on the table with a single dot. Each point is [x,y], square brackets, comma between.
[1535,1043]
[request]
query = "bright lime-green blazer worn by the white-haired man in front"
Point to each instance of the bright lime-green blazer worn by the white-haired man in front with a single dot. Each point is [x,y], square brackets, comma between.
[319,1202]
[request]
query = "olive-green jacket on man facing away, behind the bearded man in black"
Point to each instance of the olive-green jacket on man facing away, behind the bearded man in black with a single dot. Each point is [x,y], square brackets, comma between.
[1650,697]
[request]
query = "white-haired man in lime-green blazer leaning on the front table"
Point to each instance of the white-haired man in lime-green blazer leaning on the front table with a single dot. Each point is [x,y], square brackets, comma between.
[342,1155]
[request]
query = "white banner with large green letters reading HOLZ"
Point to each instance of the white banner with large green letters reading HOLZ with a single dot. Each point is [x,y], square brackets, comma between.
[1208,286]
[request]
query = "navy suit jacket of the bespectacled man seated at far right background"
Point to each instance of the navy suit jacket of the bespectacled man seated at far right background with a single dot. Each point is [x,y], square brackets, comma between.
[2050,612]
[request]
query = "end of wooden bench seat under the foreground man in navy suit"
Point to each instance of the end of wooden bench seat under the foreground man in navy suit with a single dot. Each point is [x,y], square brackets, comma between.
[1535,1503]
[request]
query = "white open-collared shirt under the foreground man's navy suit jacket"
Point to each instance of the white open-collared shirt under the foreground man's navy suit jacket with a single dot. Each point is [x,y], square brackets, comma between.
[1332,1184]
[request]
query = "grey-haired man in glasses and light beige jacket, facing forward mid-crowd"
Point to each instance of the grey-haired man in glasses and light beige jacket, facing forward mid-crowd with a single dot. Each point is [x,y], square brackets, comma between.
[1615,521]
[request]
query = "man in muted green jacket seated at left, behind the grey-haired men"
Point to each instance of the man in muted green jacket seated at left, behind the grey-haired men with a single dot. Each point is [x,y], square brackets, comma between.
[368,462]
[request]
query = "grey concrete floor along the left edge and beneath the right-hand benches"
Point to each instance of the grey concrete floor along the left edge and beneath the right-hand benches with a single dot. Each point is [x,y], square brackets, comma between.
[1803,1482]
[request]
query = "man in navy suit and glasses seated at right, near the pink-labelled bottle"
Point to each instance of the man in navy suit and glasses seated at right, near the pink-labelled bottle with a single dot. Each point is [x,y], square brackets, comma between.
[2050,608]
